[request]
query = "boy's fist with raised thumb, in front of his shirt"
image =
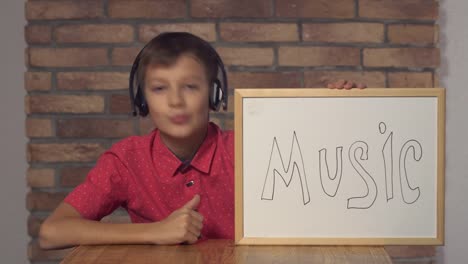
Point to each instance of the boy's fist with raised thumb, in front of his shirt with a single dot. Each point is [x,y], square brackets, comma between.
[183,225]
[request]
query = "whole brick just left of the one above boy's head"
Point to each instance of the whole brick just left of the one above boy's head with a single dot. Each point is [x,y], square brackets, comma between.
[115,33]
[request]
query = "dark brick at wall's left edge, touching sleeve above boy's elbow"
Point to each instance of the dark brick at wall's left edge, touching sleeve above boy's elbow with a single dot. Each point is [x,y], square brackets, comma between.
[43,201]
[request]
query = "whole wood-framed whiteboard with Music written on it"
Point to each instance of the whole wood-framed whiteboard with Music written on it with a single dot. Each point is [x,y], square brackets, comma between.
[321,166]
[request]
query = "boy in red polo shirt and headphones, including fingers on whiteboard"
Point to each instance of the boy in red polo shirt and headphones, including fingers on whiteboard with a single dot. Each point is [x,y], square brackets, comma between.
[177,183]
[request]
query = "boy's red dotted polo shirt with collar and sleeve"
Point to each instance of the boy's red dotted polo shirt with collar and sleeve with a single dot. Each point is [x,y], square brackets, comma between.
[143,176]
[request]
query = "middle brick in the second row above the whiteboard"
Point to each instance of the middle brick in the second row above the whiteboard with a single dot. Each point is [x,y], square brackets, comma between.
[318,56]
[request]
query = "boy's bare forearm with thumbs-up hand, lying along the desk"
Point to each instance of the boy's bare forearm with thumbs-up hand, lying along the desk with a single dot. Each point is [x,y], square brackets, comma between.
[65,228]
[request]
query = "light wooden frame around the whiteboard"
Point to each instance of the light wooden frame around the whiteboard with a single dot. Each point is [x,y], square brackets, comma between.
[240,94]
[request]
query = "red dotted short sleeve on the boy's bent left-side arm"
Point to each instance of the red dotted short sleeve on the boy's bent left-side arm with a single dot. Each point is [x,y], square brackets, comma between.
[103,191]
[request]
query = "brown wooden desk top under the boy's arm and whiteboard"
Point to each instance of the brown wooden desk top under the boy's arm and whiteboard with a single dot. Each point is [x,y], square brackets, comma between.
[224,251]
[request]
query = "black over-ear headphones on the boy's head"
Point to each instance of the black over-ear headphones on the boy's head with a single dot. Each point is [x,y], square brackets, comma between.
[218,94]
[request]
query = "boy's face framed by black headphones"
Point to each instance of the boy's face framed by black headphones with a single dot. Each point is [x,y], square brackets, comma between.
[177,97]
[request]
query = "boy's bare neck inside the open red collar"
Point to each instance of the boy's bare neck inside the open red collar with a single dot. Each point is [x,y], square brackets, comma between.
[184,149]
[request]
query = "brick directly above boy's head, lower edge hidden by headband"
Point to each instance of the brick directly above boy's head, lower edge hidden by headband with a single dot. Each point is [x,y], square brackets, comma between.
[205,31]
